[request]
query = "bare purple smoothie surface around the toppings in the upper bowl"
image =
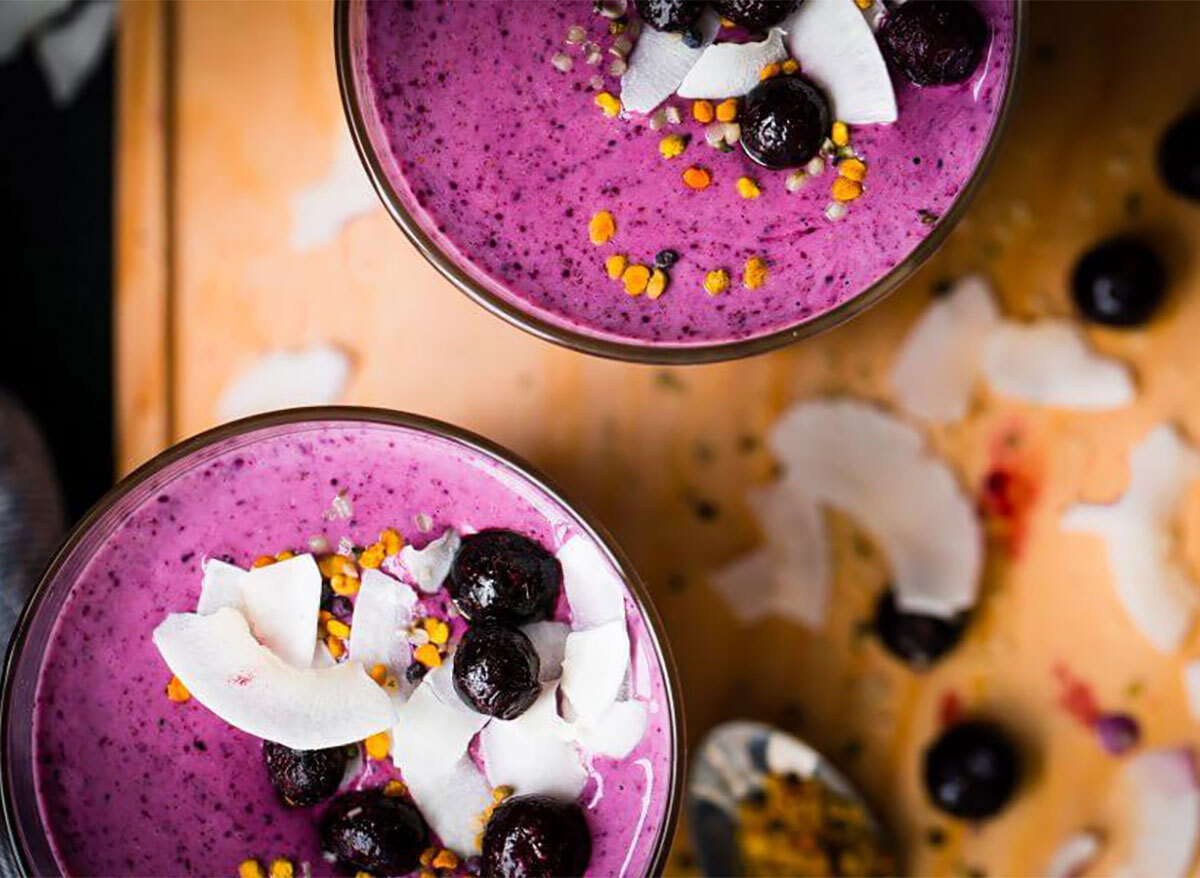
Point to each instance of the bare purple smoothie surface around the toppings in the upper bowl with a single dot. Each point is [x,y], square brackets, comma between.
[502,160]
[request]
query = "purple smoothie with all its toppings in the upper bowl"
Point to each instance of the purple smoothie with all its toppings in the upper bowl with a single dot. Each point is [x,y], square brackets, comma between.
[610,169]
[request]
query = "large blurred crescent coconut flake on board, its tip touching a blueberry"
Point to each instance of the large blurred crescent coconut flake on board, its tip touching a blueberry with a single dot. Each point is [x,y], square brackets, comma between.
[877,470]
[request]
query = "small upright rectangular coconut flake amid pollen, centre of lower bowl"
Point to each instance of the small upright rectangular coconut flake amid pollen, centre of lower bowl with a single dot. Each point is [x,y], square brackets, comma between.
[383,611]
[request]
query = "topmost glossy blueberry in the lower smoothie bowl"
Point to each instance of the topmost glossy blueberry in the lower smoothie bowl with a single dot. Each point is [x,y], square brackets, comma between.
[500,576]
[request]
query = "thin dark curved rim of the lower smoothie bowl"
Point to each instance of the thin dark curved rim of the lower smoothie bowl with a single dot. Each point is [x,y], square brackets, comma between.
[422,424]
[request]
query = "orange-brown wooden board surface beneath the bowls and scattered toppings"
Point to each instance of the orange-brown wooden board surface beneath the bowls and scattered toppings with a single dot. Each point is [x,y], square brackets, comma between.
[227,110]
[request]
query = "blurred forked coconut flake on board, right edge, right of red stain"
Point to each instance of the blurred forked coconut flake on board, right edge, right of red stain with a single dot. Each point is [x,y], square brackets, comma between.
[1139,534]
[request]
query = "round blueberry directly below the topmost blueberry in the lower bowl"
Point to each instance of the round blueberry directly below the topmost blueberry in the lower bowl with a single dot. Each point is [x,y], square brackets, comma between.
[496,671]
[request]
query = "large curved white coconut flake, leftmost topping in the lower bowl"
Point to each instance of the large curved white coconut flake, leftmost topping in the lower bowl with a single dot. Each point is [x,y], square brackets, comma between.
[244,683]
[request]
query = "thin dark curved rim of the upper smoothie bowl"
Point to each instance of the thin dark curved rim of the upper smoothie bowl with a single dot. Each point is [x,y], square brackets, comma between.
[668,354]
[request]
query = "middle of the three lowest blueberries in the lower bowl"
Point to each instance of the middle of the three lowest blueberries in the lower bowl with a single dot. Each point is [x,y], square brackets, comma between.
[375,833]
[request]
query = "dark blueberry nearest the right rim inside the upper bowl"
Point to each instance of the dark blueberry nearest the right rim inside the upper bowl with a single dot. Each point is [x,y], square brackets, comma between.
[935,43]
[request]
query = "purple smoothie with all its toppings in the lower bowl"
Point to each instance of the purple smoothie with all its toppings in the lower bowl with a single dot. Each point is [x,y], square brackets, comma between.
[502,603]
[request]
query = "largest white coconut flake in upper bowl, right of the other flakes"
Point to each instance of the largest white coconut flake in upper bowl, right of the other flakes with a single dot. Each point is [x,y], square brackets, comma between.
[837,50]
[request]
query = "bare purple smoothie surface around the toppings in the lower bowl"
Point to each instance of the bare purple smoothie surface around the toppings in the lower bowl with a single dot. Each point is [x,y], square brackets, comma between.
[133,784]
